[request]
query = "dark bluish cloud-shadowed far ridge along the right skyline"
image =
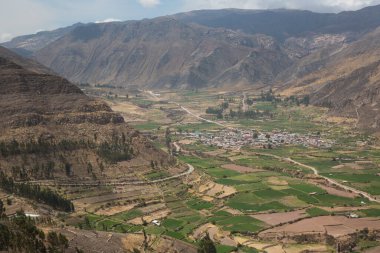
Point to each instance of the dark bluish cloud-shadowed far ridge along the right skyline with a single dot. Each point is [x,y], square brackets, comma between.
[282,24]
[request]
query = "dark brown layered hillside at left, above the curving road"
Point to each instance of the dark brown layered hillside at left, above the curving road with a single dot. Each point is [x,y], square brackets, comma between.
[51,130]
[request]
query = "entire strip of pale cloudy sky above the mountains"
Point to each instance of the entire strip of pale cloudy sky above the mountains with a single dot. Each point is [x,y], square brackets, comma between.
[20,17]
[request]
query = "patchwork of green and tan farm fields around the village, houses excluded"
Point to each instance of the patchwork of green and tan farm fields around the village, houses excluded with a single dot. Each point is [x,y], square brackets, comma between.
[236,195]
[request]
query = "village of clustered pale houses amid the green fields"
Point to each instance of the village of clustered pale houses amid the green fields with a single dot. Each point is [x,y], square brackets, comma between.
[235,139]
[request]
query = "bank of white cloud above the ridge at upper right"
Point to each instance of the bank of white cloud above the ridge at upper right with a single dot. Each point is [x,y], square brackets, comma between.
[314,5]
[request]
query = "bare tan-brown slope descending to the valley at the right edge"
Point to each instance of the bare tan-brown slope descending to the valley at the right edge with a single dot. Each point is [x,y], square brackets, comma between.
[347,80]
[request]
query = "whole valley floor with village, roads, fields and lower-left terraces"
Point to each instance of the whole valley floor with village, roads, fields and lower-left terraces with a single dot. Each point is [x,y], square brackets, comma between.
[252,195]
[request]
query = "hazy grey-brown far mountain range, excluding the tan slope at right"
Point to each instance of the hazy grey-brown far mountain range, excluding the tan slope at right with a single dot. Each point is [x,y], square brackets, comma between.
[208,48]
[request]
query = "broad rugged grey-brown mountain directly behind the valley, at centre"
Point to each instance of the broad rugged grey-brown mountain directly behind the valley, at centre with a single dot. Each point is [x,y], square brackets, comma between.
[138,53]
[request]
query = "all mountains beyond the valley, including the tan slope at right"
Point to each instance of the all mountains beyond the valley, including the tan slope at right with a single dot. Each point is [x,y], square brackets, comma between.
[333,57]
